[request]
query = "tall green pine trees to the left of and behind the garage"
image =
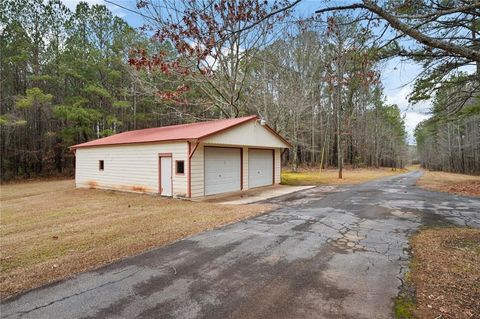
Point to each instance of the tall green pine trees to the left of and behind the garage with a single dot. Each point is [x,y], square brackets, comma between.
[64,80]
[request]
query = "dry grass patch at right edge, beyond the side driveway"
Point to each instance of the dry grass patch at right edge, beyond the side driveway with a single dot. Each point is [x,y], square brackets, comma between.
[450,182]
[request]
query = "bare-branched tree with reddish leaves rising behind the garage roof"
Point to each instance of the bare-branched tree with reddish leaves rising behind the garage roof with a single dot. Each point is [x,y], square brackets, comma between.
[214,41]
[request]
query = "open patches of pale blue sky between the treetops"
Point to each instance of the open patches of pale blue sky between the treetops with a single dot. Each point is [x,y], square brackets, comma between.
[397,76]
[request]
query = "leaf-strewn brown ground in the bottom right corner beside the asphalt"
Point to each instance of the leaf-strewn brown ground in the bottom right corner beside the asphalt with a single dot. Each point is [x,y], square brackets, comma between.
[446,273]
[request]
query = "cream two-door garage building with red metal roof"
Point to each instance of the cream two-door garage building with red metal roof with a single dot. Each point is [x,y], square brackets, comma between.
[189,160]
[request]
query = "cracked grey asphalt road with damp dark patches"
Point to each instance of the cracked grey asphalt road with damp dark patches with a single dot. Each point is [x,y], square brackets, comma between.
[326,253]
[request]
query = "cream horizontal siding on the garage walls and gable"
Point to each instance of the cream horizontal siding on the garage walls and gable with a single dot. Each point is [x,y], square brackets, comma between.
[134,167]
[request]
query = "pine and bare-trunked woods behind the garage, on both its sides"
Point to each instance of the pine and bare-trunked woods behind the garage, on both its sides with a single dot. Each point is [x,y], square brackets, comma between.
[66,79]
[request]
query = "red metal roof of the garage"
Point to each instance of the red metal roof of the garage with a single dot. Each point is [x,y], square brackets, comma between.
[191,131]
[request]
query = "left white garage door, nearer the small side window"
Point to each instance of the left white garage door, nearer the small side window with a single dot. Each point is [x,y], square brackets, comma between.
[222,170]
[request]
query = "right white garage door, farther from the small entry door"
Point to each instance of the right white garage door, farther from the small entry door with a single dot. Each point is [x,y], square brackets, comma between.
[260,168]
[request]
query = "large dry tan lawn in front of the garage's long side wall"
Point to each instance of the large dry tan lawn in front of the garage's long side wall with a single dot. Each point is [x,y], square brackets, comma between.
[49,230]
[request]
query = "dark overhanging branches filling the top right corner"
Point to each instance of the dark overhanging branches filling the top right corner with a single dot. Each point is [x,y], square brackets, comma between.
[446,36]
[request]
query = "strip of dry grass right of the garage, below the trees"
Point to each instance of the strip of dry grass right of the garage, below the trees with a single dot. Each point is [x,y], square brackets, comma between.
[330,176]
